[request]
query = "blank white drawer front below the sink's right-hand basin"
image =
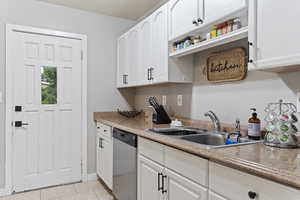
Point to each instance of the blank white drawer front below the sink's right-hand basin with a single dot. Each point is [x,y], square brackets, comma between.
[188,165]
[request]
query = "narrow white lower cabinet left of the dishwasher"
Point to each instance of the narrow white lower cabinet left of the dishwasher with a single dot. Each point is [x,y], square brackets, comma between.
[105,154]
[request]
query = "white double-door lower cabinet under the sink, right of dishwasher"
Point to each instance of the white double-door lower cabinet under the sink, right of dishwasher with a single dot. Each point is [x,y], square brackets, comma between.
[157,180]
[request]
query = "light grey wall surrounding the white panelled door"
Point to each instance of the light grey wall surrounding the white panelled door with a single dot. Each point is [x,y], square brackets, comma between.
[102,32]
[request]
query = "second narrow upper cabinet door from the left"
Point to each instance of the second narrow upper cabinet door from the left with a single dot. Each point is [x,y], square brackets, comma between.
[133,57]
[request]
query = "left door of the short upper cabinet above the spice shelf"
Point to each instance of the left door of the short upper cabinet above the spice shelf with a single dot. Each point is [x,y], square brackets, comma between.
[182,13]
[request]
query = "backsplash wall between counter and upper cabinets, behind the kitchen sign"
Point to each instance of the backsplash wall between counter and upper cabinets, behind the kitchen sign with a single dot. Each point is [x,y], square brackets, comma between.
[229,100]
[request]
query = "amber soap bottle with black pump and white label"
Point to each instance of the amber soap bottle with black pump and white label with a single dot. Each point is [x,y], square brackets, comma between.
[254,126]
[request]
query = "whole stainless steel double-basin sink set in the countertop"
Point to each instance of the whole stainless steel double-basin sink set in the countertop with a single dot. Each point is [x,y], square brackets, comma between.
[209,139]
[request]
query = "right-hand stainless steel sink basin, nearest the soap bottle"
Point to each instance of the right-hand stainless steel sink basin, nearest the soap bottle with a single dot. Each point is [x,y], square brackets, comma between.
[216,140]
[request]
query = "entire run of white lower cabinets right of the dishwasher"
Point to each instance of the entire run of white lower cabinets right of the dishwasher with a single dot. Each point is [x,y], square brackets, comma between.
[169,174]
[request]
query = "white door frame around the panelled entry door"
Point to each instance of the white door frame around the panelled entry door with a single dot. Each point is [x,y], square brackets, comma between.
[10,29]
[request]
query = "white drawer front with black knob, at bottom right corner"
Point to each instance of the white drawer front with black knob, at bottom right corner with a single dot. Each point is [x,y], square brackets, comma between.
[236,185]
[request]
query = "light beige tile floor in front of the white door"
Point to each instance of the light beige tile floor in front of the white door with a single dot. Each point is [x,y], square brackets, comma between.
[92,190]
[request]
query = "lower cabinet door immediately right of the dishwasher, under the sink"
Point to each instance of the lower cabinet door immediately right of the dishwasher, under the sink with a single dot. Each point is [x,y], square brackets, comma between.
[148,179]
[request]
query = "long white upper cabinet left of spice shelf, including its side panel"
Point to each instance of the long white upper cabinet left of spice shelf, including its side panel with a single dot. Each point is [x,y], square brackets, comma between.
[143,57]
